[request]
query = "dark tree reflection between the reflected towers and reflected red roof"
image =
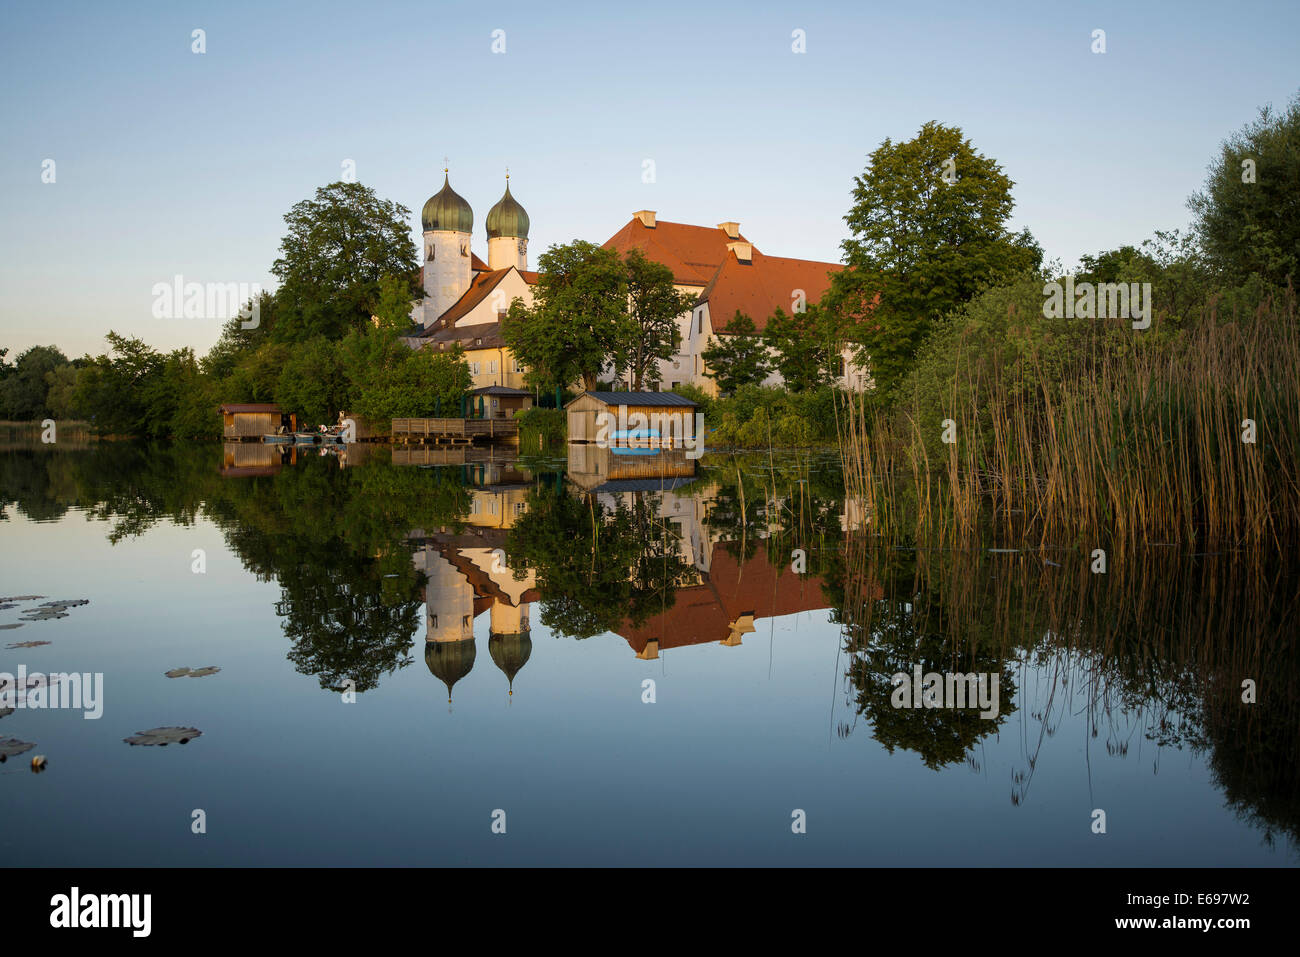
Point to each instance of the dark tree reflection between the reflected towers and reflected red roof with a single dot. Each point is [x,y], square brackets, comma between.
[596,566]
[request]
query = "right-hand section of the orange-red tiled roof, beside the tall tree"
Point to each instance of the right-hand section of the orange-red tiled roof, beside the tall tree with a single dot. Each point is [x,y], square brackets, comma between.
[759,288]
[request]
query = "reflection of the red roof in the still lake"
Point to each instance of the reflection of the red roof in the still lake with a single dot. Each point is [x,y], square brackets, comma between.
[707,613]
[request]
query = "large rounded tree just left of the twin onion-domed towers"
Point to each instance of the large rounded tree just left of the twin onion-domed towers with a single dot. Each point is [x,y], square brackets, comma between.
[339,250]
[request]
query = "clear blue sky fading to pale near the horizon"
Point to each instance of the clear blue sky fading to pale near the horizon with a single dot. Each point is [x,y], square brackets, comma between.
[168,162]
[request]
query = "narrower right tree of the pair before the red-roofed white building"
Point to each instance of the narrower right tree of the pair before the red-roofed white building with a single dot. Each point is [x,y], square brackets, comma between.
[655,306]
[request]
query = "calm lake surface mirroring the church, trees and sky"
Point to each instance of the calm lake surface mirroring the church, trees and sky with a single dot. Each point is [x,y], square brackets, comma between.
[502,623]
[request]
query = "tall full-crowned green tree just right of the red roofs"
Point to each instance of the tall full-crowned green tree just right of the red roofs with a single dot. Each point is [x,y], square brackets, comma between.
[929,232]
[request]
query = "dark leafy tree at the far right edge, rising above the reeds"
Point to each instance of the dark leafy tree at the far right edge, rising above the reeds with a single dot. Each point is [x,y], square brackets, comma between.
[1249,213]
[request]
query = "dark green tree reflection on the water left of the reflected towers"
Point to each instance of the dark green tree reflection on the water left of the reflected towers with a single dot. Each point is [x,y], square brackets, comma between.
[335,539]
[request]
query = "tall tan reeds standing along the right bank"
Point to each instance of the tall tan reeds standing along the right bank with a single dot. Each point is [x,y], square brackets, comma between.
[1138,445]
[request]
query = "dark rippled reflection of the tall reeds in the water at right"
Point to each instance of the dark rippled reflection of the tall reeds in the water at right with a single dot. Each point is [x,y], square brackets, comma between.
[1156,651]
